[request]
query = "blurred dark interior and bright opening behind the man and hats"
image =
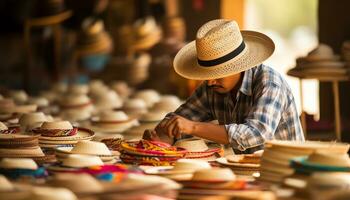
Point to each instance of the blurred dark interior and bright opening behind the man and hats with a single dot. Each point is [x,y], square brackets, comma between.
[46,42]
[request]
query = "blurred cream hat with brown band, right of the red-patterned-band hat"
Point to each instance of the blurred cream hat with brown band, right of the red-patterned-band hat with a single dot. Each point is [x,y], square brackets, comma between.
[113,121]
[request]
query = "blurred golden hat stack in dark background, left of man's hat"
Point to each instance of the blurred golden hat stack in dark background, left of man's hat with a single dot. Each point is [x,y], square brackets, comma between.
[146,34]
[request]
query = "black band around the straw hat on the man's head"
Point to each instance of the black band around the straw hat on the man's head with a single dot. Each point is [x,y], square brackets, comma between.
[225,58]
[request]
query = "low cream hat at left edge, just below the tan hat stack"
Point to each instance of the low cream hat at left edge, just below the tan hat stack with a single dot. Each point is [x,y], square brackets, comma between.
[18,163]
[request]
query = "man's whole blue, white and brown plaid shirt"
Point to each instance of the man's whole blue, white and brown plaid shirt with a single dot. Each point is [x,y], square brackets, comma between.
[263,109]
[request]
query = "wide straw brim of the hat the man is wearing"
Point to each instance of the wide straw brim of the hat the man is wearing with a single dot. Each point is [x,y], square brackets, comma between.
[259,47]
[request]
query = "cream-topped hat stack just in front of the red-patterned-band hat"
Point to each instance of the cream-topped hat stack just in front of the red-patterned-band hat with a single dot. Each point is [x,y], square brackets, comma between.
[88,148]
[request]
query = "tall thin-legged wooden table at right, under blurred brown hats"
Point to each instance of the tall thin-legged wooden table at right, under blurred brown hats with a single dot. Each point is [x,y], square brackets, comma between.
[334,79]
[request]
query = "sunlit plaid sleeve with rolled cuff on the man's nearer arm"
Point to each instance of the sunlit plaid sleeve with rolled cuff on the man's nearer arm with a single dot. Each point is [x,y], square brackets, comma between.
[262,120]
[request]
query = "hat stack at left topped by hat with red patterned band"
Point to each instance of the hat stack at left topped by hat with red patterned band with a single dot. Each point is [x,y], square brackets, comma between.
[61,133]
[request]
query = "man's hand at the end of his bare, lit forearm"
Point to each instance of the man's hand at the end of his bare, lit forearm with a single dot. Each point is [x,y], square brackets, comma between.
[175,126]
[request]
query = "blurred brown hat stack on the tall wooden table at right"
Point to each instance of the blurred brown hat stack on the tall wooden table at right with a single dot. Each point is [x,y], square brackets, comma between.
[319,63]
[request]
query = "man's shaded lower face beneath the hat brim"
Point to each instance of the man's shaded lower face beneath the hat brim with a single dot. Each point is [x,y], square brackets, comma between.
[226,84]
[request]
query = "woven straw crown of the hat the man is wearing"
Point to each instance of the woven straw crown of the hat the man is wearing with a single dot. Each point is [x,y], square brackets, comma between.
[217,38]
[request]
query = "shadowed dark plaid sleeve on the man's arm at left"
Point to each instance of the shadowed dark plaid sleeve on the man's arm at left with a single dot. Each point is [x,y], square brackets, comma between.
[196,107]
